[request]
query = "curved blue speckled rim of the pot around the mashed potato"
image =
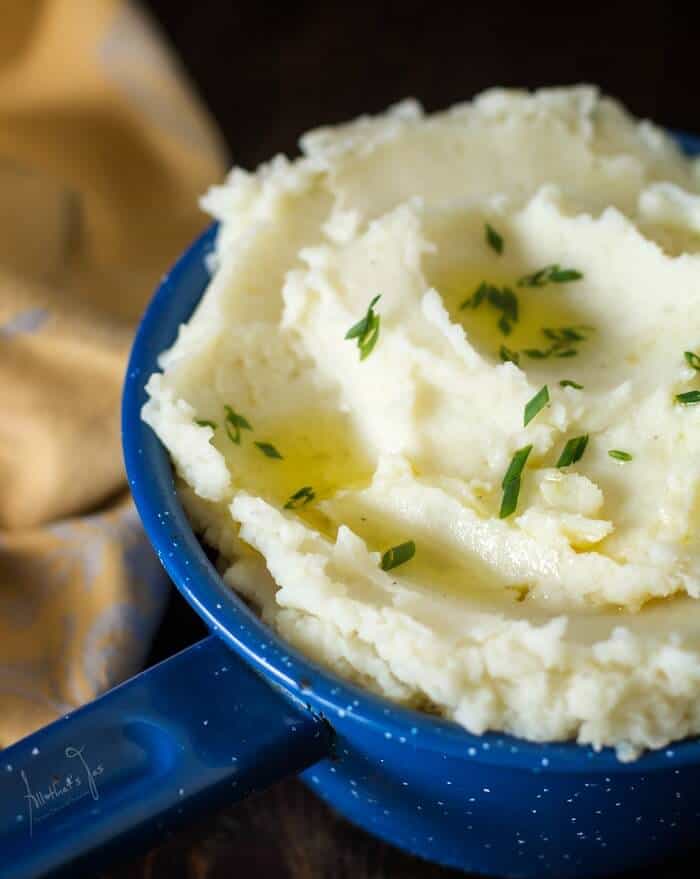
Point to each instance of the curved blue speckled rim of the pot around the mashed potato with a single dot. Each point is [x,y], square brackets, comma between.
[152,485]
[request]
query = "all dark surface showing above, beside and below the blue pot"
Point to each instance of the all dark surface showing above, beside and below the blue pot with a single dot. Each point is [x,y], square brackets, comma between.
[268,72]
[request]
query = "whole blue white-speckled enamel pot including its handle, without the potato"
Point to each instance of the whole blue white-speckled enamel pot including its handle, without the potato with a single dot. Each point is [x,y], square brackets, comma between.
[242,709]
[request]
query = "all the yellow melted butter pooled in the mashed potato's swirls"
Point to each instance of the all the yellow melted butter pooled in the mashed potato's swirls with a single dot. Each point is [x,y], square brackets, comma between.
[322,450]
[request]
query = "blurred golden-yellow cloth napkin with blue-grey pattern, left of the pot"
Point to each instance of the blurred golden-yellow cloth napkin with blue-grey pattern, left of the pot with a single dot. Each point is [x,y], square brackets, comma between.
[103,152]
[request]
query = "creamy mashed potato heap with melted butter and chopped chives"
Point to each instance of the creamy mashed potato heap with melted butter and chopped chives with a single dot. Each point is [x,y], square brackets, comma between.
[436,411]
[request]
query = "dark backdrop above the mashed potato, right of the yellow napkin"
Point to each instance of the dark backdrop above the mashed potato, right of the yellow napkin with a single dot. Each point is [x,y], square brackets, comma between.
[269,71]
